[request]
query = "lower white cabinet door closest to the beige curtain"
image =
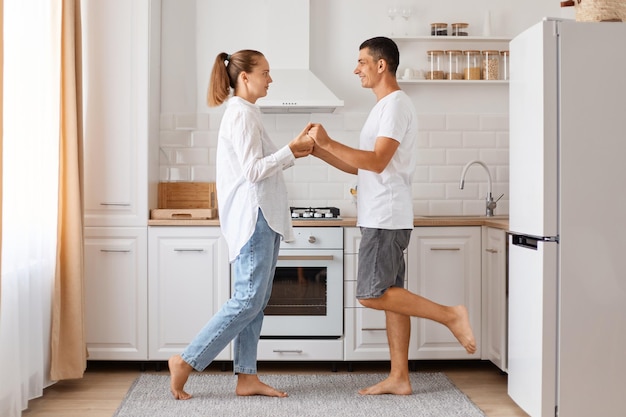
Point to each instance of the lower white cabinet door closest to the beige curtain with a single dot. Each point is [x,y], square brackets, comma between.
[116,293]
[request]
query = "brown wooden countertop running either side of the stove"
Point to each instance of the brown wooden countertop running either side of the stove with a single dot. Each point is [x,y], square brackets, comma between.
[501,222]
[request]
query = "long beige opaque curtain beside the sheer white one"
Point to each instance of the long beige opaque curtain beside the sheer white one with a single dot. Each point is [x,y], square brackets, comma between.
[68,349]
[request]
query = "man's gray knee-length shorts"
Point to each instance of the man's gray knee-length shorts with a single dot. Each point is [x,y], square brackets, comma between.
[381,261]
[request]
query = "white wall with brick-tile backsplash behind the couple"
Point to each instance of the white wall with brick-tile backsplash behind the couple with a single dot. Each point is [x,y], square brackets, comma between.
[458,123]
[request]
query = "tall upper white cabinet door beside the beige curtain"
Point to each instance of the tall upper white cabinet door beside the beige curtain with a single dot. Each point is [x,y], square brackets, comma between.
[115,111]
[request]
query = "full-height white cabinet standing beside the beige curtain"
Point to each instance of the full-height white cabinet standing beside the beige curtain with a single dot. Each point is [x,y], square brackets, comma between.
[120,62]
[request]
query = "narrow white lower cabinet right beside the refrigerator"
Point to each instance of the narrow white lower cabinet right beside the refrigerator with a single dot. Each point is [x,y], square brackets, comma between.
[495,296]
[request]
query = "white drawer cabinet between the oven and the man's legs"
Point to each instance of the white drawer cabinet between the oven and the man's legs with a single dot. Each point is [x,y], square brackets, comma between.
[365,329]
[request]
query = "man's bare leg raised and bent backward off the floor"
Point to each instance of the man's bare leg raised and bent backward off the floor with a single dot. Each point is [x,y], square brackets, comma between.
[402,301]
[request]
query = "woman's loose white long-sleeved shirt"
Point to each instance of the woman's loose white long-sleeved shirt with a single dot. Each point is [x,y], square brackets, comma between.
[250,176]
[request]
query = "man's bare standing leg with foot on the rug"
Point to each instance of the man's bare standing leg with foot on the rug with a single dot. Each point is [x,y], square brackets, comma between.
[398,335]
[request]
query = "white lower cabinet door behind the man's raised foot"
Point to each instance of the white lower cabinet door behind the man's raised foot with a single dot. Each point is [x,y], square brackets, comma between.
[444,266]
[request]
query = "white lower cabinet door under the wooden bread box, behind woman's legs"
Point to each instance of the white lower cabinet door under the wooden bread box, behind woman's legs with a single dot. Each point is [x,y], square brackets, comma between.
[189,280]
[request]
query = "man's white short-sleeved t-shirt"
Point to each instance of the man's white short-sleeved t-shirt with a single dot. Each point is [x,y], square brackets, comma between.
[384,200]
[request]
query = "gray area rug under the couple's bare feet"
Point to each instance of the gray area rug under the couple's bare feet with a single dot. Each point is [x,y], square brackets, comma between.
[434,395]
